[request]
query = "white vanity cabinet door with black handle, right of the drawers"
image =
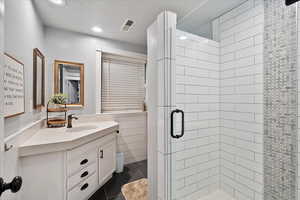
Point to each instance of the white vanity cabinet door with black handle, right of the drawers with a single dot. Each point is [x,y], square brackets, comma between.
[107,161]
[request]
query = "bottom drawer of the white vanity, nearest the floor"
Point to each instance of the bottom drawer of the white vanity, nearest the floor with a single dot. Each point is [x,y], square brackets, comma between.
[84,189]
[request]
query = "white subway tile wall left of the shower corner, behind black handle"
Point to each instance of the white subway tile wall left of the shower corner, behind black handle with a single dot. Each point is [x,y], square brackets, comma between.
[196,164]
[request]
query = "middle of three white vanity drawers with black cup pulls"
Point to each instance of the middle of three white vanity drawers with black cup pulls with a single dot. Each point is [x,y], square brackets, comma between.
[81,175]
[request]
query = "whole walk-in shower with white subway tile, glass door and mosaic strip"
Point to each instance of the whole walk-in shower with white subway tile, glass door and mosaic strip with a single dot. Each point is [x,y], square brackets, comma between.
[237,95]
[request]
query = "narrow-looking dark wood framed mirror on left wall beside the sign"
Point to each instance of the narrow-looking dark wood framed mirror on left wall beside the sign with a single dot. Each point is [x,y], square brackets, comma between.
[38,79]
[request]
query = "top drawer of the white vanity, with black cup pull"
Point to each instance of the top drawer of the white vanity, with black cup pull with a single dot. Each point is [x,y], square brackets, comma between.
[81,162]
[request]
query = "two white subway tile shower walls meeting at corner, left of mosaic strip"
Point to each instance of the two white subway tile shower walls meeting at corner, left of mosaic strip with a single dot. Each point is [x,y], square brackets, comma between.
[223,145]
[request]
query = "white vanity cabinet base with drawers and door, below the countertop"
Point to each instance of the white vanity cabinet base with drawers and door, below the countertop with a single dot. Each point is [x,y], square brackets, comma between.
[73,174]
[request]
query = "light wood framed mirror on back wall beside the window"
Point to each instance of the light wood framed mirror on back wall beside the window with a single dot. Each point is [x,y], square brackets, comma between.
[69,80]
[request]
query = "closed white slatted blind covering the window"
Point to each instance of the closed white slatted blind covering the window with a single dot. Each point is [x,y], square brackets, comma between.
[122,83]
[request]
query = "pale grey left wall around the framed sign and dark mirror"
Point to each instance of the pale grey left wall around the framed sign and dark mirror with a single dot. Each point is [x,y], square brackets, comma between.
[23,33]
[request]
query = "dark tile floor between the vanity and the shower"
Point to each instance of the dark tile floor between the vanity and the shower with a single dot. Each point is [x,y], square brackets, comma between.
[112,189]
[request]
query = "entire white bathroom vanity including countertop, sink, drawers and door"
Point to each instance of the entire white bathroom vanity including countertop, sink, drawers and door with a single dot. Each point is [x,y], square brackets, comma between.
[68,164]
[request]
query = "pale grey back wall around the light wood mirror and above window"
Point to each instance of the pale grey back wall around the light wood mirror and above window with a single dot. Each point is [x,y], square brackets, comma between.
[76,47]
